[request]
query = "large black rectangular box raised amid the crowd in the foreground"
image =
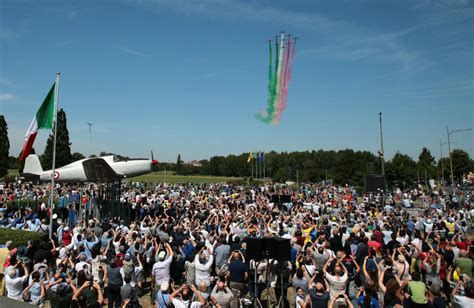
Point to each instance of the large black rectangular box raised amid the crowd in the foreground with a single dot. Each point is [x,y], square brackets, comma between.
[268,248]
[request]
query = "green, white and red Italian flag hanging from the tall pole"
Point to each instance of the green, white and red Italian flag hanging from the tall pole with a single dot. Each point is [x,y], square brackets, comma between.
[43,119]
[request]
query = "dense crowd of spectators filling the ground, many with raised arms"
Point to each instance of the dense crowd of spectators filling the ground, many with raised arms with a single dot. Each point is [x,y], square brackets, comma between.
[186,246]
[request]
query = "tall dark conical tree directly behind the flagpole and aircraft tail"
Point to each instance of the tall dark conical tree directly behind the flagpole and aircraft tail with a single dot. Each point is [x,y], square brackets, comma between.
[63,146]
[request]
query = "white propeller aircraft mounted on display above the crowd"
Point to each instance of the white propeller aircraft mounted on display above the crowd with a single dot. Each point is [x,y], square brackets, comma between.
[95,169]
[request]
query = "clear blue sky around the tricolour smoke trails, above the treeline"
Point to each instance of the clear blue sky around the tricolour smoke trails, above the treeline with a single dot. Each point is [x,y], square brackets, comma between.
[188,77]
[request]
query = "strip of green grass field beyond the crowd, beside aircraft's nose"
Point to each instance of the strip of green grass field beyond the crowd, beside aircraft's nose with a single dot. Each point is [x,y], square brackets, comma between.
[172,179]
